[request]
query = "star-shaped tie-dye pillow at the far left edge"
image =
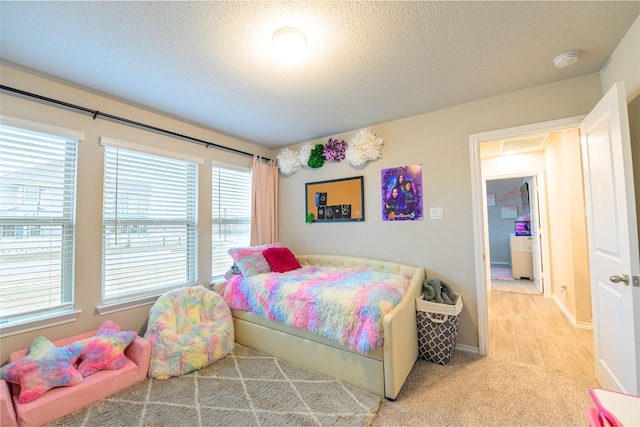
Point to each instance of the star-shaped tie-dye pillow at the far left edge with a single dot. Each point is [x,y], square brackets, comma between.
[44,367]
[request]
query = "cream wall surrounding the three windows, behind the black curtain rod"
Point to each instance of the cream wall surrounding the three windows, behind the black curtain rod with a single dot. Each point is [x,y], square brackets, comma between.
[89,192]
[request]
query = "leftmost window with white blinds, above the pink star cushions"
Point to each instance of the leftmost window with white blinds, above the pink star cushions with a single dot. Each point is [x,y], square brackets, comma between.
[37,220]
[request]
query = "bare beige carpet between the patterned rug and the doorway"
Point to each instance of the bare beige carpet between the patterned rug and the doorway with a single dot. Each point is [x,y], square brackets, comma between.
[485,391]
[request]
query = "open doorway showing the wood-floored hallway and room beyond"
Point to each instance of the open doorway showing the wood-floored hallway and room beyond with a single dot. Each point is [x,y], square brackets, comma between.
[525,326]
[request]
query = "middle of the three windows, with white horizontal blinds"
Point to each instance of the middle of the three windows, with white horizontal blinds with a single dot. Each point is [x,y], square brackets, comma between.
[149,235]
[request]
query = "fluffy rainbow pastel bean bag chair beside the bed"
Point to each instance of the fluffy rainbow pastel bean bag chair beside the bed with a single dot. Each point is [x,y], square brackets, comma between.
[188,328]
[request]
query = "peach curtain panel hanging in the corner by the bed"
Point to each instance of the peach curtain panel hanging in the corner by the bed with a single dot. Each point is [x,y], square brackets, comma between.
[264,202]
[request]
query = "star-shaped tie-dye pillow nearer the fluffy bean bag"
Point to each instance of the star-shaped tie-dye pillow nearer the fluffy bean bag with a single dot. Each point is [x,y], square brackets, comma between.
[105,350]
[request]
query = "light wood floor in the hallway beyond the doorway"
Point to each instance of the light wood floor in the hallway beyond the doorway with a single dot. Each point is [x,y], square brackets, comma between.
[531,329]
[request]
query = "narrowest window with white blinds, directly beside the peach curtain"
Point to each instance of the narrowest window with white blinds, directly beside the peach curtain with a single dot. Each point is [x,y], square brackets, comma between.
[231,214]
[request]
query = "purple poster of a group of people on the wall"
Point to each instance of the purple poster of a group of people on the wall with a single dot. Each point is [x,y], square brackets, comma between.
[402,193]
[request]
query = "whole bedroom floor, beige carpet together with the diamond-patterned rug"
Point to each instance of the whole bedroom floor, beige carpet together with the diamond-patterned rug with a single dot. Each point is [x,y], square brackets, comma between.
[251,389]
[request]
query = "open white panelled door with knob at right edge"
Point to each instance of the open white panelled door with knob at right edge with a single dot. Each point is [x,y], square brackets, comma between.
[613,241]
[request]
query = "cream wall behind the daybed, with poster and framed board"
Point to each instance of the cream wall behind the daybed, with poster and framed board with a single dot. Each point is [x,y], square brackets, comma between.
[440,142]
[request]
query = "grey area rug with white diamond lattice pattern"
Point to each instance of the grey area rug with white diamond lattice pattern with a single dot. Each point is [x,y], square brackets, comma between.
[245,388]
